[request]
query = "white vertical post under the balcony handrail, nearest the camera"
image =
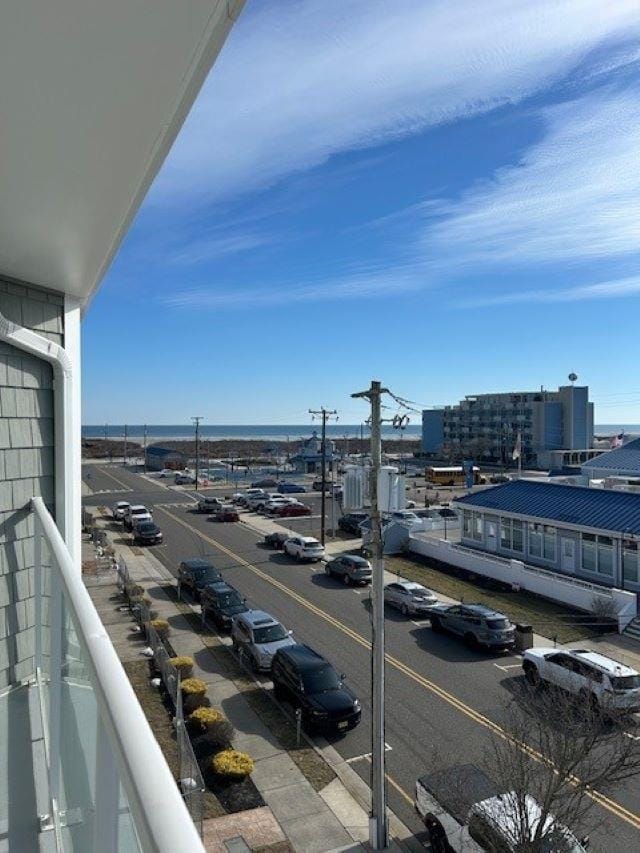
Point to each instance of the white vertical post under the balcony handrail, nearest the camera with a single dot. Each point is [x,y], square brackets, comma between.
[107,795]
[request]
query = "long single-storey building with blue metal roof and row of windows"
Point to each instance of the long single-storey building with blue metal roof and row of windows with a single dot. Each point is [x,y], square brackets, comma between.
[583,532]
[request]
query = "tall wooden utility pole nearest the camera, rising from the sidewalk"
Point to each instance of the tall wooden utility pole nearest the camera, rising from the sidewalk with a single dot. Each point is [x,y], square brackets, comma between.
[378,824]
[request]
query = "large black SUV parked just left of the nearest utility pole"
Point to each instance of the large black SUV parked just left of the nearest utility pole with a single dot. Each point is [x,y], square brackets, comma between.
[311,683]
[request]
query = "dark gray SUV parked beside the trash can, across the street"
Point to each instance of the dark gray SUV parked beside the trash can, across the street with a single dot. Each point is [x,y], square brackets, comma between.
[477,624]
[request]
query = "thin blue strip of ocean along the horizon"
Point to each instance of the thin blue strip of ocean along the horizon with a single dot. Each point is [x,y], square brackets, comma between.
[277,432]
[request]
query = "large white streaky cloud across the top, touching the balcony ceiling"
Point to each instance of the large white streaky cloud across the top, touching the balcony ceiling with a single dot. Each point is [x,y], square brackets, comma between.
[300,81]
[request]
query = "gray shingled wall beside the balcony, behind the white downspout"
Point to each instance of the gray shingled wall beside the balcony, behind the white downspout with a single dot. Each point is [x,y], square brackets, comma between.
[26,467]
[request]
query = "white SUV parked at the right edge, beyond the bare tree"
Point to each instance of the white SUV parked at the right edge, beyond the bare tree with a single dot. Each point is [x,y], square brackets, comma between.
[607,684]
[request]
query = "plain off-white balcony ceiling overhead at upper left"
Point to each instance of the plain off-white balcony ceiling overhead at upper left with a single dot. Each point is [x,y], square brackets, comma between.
[92,96]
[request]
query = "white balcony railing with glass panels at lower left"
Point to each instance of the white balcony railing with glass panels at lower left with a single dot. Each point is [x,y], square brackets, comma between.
[109,786]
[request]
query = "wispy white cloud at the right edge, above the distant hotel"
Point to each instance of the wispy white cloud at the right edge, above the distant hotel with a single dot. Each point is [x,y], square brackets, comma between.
[575,196]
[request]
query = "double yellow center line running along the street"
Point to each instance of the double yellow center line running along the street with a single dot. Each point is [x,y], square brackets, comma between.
[611,805]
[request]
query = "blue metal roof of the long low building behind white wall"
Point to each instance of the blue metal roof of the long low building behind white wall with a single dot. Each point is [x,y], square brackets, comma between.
[602,509]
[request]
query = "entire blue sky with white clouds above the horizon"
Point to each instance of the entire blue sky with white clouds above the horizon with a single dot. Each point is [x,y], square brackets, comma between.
[441,195]
